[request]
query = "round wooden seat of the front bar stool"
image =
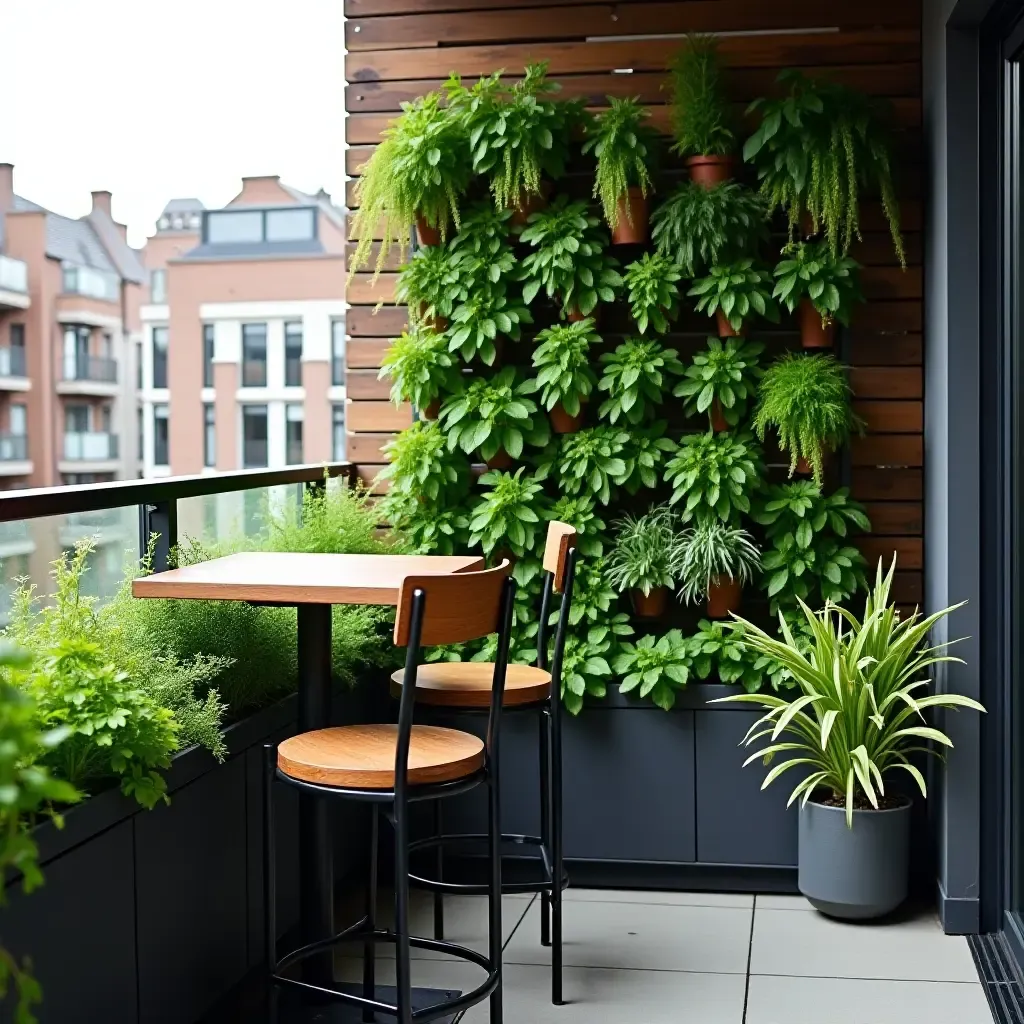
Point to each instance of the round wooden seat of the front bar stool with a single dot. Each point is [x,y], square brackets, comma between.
[362,757]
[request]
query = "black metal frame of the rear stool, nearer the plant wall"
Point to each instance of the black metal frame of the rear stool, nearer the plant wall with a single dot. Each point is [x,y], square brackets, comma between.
[550,840]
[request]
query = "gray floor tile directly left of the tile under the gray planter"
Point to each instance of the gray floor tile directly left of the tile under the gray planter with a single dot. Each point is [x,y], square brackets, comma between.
[642,936]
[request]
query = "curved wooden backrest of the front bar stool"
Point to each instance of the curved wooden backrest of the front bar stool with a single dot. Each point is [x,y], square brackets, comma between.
[460,607]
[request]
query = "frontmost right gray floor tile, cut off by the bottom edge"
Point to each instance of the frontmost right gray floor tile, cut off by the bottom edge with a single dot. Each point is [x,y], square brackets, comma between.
[815,1001]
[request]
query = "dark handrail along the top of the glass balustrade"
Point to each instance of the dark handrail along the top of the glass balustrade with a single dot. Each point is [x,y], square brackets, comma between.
[39,502]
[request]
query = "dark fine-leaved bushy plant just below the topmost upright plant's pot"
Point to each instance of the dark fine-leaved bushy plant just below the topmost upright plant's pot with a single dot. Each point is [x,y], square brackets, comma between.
[699,228]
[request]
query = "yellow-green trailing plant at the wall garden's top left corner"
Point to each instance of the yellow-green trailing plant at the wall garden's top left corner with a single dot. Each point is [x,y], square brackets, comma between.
[420,169]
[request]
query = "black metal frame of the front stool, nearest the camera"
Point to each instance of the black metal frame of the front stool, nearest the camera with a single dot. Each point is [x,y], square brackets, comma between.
[400,800]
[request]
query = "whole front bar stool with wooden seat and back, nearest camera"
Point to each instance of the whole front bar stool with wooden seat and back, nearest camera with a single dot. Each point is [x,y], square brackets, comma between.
[394,766]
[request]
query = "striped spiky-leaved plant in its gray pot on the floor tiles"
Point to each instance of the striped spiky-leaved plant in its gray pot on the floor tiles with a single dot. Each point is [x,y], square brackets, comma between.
[858,716]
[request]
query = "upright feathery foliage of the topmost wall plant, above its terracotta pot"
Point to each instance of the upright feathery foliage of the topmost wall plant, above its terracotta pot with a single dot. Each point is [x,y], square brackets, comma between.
[700,110]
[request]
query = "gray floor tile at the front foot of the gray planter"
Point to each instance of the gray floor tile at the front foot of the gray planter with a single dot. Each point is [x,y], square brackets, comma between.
[812,946]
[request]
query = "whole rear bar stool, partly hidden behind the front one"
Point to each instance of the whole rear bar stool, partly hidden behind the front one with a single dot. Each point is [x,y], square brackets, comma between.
[466,688]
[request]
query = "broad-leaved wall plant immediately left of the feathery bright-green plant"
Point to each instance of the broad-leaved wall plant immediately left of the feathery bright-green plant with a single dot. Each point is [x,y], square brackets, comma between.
[727,372]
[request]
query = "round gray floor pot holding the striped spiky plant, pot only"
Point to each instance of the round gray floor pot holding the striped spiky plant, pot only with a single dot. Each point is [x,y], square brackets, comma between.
[859,873]
